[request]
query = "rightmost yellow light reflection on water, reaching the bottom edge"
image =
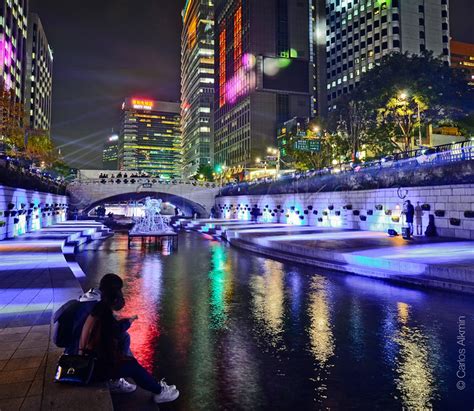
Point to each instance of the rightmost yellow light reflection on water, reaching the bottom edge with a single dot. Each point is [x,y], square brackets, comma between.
[415,380]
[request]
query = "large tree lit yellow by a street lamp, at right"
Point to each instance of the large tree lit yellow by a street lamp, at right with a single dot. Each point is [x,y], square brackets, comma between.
[375,115]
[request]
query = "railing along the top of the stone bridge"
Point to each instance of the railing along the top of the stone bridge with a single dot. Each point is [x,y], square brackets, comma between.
[145,182]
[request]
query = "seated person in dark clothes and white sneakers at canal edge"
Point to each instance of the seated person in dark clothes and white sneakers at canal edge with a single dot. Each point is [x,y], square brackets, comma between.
[101,338]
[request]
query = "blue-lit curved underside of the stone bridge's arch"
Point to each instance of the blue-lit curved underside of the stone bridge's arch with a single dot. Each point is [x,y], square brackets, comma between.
[189,207]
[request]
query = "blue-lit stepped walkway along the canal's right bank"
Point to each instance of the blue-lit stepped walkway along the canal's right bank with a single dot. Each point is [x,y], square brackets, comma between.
[438,262]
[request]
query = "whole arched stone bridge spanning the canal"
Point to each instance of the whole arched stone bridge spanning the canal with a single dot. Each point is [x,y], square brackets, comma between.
[190,196]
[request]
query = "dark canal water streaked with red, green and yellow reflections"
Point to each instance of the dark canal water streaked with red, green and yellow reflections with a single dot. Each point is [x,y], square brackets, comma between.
[234,330]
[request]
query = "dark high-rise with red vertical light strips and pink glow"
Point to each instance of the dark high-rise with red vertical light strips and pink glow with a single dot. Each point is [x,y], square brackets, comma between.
[264,75]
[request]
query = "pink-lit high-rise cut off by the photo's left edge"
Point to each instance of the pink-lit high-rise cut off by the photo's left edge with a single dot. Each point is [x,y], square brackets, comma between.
[13,35]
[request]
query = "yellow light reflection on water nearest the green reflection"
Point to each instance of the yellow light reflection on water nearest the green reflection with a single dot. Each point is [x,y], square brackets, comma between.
[268,299]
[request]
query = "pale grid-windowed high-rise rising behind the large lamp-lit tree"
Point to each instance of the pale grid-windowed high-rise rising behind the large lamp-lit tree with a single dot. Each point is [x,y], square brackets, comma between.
[356,34]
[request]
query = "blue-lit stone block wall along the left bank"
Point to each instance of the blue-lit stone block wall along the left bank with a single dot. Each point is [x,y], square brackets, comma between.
[23,211]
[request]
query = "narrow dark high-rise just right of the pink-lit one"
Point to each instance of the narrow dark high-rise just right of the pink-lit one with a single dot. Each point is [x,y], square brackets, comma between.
[39,76]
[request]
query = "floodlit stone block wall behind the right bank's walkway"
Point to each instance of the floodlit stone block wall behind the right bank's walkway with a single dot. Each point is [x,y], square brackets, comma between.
[374,210]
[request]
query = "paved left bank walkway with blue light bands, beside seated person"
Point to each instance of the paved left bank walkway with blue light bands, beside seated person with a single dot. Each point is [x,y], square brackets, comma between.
[35,279]
